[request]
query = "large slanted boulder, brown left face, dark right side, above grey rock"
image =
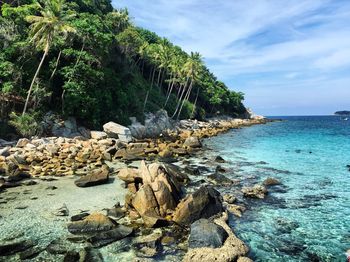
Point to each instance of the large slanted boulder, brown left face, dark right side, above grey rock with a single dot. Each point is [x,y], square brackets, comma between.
[204,203]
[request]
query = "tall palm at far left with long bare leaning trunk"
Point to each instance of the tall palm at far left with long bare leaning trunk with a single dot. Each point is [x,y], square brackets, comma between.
[44,29]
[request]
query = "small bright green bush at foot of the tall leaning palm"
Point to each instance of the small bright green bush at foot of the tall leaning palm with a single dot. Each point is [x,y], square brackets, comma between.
[25,124]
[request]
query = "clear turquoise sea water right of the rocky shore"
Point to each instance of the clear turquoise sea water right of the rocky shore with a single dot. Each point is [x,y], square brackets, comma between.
[308,218]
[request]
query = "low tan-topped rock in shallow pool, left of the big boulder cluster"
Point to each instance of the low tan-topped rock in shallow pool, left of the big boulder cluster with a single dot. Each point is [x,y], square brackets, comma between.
[93,223]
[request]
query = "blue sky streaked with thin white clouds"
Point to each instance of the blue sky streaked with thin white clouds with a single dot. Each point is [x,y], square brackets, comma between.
[289,57]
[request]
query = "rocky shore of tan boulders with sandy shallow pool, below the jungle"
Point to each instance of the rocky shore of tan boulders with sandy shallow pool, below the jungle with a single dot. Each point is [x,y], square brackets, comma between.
[166,211]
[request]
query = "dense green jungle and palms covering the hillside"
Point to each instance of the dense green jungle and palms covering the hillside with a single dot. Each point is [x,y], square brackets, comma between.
[85,59]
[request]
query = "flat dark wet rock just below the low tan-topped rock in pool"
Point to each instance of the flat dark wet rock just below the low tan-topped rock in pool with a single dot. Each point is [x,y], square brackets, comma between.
[107,237]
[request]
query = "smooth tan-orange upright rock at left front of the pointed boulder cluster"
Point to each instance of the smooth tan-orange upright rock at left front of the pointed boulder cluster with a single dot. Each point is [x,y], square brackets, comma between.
[145,202]
